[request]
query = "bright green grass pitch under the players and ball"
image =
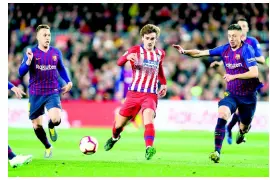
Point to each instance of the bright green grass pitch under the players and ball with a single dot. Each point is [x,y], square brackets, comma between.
[179,154]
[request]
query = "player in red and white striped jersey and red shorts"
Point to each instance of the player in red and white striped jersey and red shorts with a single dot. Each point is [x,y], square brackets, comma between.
[146,62]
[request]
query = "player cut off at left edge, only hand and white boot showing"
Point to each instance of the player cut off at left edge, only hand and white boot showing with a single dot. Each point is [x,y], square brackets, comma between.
[17,160]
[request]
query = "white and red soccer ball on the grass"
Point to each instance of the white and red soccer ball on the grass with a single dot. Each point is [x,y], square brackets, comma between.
[88,145]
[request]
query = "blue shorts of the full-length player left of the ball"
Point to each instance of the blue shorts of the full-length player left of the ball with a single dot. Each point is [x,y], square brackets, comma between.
[38,102]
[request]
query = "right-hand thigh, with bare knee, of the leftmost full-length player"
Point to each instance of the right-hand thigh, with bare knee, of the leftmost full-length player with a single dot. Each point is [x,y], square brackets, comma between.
[53,105]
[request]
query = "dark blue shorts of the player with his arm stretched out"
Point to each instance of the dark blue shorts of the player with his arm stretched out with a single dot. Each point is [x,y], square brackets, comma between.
[246,106]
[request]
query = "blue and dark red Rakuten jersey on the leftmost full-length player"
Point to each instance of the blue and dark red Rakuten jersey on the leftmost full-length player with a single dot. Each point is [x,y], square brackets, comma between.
[44,70]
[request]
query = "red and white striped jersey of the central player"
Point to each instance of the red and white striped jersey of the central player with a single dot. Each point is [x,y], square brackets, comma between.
[147,70]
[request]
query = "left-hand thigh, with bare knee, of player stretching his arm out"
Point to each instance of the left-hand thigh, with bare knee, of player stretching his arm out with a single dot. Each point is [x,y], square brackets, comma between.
[226,107]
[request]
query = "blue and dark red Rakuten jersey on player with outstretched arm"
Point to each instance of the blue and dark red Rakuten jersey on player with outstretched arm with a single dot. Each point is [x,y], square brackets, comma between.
[238,62]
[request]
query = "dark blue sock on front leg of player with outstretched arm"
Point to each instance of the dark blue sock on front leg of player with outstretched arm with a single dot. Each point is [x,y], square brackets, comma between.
[219,134]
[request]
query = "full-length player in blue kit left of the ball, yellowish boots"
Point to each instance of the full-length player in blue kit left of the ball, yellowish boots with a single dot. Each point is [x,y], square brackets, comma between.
[44,62]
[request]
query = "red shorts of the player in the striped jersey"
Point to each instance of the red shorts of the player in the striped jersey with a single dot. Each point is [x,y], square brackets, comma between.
[136,101]
